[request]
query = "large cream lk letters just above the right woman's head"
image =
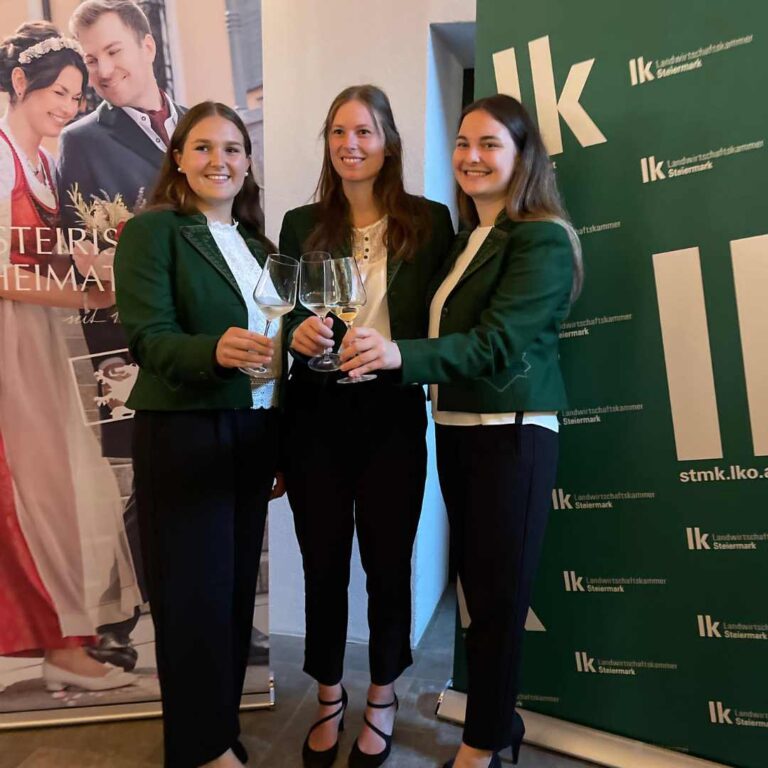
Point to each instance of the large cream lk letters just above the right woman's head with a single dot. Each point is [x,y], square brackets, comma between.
[549,107]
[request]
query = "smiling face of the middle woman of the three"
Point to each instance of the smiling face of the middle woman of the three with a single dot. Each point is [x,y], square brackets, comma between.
[356,144]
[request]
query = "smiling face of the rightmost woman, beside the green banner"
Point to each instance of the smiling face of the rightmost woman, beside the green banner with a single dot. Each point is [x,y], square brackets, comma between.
[484,158]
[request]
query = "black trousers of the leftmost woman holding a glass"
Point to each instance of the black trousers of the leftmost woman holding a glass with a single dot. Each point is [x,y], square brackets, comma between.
[203,480]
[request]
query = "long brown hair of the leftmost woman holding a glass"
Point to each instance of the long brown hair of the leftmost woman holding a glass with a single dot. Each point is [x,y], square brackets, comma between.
[172,190]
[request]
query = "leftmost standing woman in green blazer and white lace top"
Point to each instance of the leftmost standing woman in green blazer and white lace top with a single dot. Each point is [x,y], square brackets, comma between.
[205,436]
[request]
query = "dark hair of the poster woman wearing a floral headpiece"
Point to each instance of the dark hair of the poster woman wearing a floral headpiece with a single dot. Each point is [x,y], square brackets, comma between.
[42,71]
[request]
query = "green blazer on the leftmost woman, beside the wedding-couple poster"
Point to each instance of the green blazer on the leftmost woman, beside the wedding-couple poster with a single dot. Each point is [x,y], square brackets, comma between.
[176,297]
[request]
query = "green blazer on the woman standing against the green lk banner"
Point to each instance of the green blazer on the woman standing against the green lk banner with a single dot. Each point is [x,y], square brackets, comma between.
[497,350]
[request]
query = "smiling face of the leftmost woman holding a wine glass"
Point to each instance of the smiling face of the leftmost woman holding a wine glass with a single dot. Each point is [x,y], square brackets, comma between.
[214,161]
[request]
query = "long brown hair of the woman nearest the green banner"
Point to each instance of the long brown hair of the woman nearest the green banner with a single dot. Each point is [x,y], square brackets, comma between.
[532,194]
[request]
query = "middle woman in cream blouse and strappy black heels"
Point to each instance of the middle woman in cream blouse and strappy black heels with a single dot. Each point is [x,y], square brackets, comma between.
[357,453]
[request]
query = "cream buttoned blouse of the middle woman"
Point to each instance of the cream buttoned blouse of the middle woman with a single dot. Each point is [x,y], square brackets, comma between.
[370,252]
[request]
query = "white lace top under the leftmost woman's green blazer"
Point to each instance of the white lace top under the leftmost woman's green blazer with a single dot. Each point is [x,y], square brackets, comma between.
[246,271]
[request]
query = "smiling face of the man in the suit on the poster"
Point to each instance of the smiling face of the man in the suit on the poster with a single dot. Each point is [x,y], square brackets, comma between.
[119,66]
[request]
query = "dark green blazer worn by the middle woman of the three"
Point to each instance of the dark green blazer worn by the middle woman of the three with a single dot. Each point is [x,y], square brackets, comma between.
[407,281]
